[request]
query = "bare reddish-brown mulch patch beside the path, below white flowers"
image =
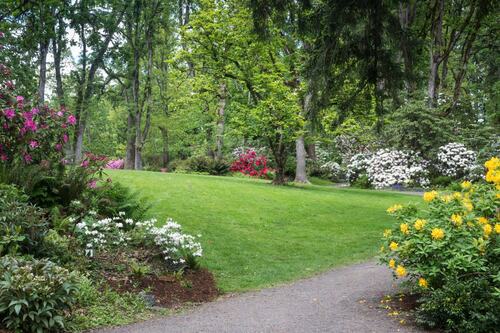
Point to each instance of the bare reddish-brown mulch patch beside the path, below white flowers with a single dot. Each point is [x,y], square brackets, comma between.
[194,286]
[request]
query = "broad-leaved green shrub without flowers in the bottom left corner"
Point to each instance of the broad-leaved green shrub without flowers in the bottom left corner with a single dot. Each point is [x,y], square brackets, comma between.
[34,294]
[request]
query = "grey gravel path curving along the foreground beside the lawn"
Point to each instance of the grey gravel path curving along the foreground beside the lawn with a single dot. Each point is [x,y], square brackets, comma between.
[342,300]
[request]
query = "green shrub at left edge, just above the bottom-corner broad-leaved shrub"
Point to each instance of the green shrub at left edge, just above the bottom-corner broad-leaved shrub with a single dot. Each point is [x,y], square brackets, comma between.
[22,225]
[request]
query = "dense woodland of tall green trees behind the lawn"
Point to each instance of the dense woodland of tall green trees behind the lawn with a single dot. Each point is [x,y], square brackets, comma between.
[159,82]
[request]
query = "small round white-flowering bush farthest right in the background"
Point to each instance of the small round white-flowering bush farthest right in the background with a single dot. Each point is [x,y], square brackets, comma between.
[455,160]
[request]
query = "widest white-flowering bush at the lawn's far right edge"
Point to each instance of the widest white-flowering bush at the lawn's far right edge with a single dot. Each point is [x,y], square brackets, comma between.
[394,167]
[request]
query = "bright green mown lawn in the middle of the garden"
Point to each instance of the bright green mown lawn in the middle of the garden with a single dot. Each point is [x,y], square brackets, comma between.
[255,234]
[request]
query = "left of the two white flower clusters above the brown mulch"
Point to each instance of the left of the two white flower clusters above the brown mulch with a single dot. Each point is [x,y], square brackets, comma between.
[96,234]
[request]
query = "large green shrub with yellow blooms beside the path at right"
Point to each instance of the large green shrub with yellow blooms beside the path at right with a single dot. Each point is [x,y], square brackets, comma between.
[448,252]
